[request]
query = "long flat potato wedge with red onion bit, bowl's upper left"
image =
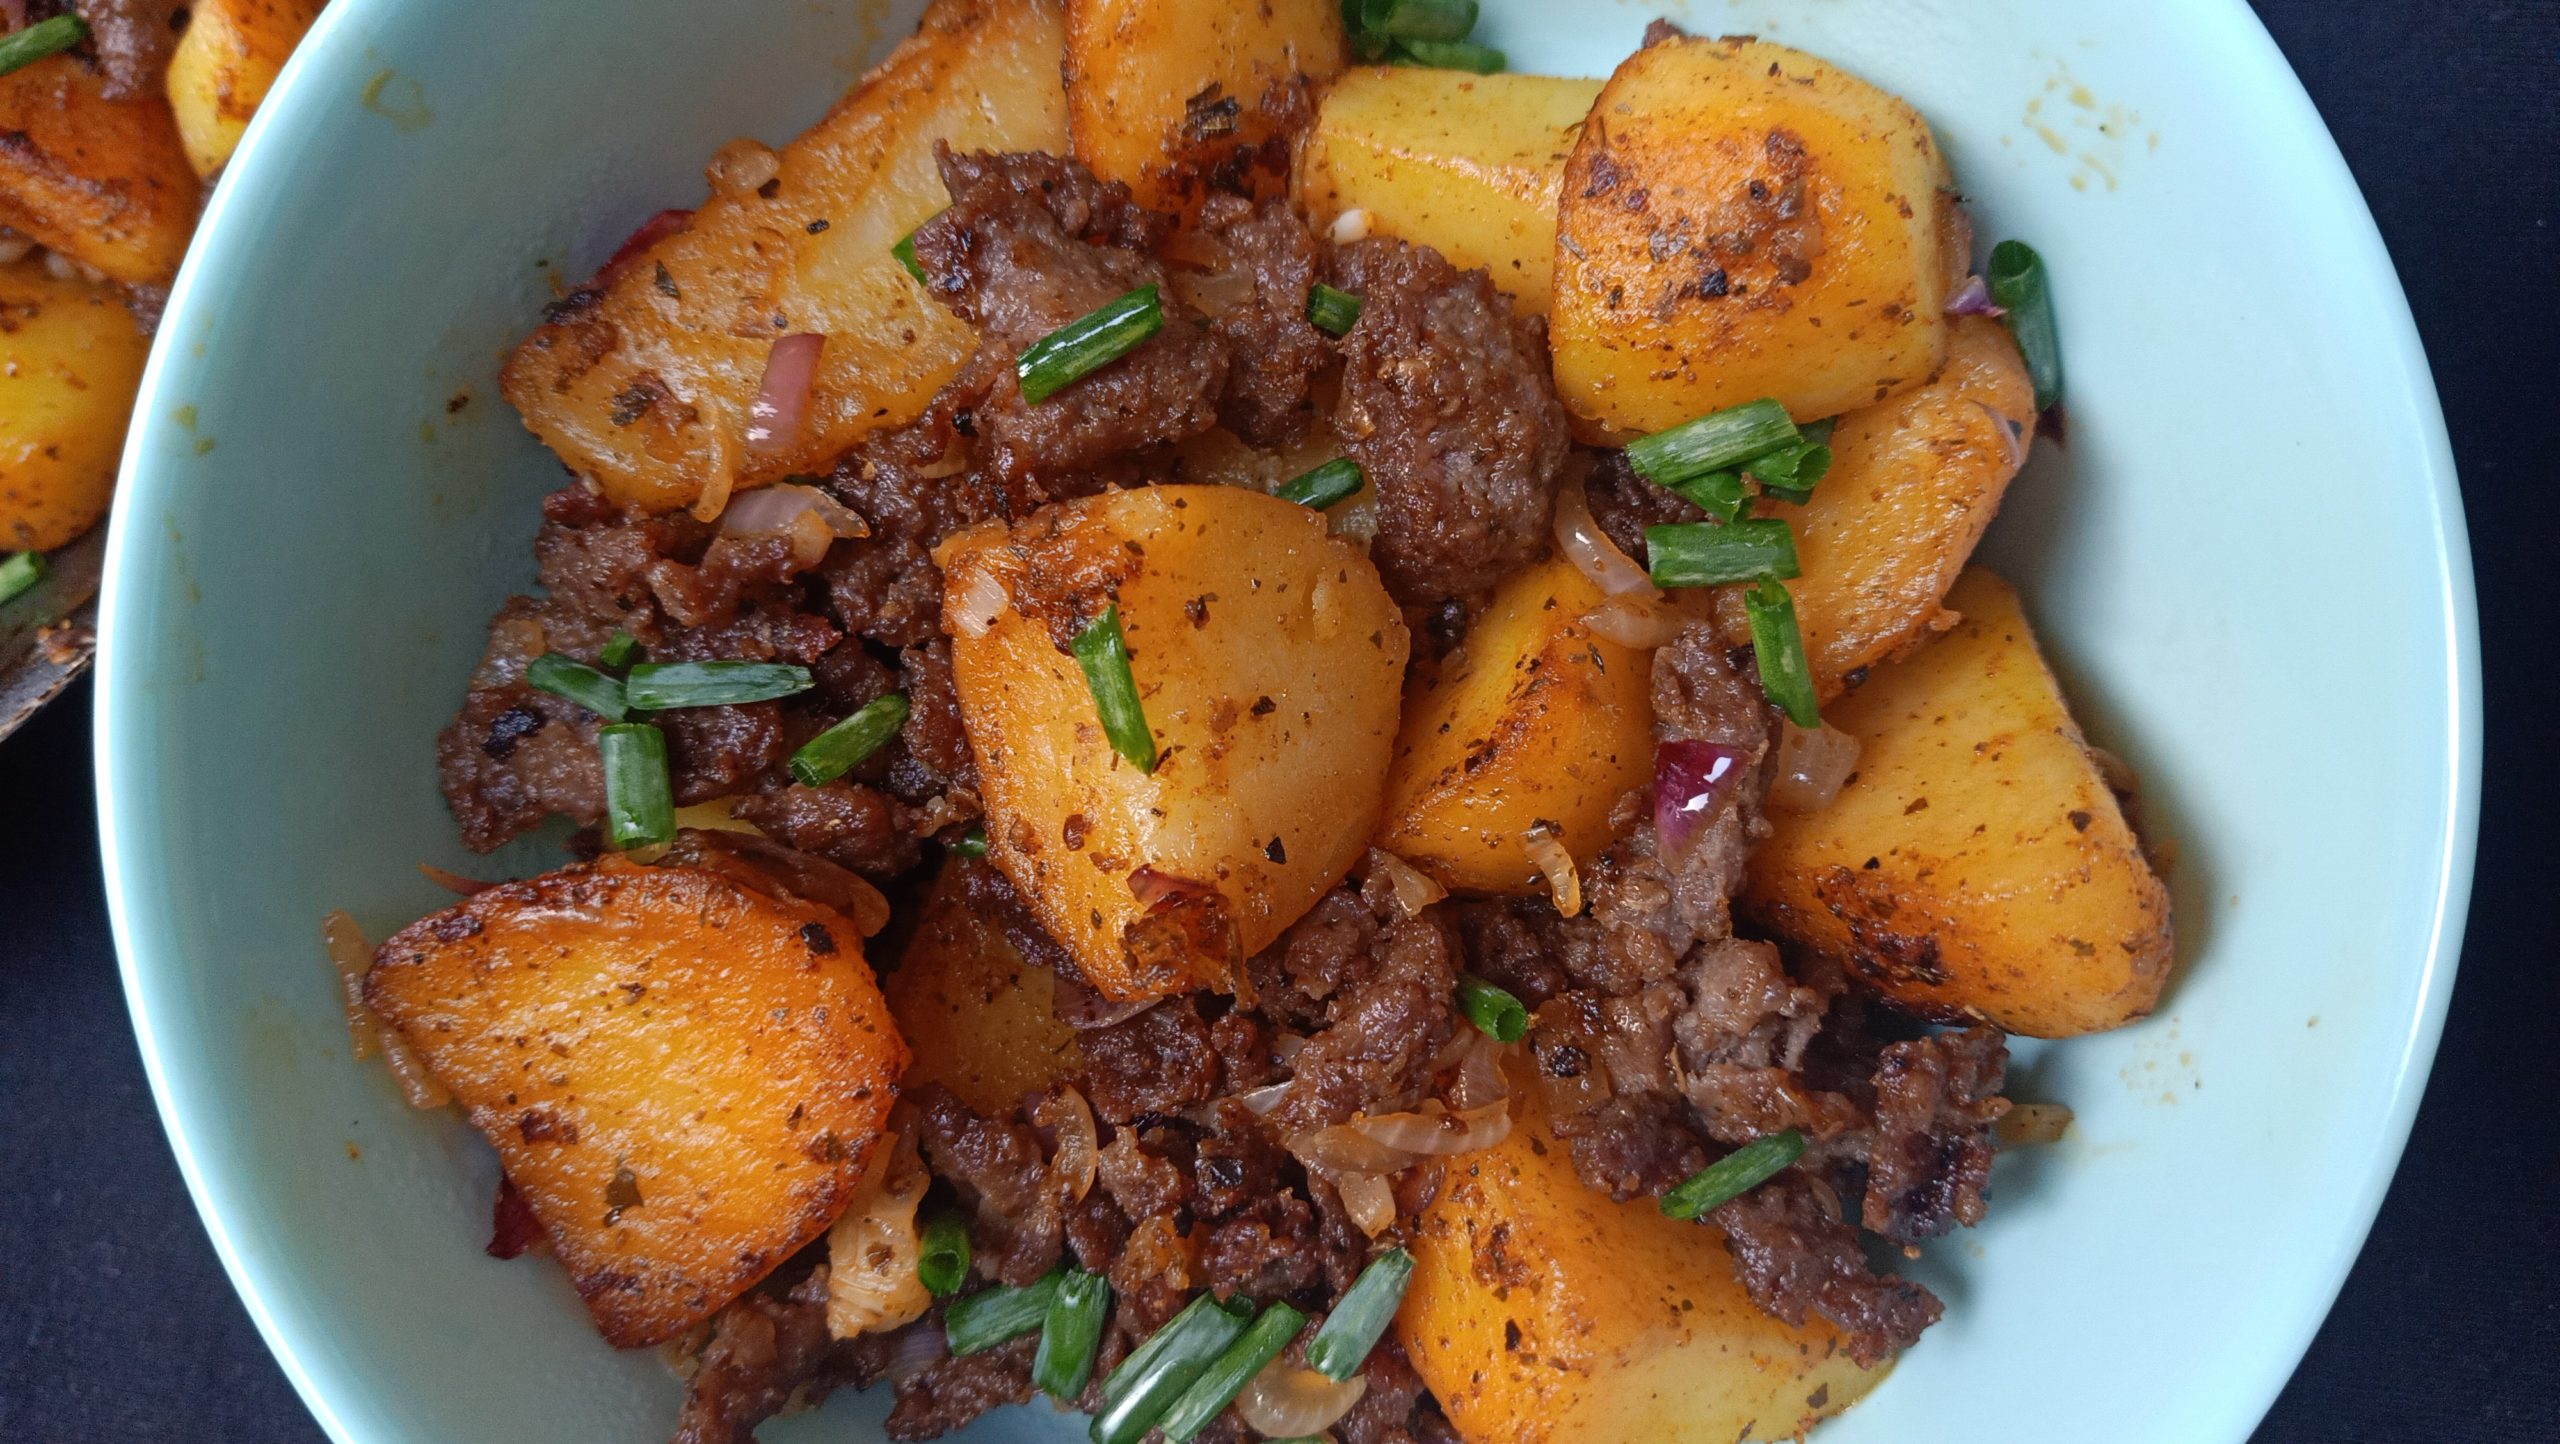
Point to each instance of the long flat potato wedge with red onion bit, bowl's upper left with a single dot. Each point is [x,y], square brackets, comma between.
[646,380]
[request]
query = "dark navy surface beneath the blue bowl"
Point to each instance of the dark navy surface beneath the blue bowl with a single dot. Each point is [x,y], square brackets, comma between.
[119,1325]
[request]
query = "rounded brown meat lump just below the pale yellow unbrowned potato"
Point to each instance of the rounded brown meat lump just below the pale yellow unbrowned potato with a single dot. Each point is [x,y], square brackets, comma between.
[1450,408]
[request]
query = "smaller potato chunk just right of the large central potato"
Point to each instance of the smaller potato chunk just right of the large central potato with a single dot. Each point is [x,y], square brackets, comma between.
[1535,721]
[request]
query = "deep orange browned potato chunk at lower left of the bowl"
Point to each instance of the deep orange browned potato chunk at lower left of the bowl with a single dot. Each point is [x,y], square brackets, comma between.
[680,1074]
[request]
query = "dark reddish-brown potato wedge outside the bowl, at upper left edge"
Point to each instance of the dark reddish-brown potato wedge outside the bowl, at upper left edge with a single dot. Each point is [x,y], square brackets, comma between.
[99,180]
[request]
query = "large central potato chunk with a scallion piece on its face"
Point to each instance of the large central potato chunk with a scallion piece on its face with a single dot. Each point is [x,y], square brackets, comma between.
[1268,659]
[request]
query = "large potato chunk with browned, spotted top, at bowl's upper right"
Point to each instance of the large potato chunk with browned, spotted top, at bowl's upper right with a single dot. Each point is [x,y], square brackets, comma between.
[1745,221]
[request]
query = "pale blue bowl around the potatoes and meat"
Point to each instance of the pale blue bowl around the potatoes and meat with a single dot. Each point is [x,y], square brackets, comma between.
[2249,565]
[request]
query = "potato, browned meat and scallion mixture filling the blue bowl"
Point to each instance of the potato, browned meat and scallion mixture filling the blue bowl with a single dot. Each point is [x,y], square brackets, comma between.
[1281,749]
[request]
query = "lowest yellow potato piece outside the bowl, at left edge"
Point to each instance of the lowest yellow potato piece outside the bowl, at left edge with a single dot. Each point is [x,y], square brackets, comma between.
[70,360]
